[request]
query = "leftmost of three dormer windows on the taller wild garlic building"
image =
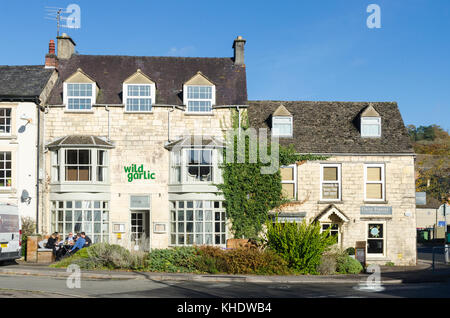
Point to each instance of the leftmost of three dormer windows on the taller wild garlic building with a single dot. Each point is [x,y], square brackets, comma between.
[79,92]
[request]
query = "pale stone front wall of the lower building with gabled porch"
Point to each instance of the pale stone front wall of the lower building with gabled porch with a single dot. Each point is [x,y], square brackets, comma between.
[400,227]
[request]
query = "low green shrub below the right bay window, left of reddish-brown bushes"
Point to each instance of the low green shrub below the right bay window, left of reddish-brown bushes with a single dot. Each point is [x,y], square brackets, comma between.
[175,260]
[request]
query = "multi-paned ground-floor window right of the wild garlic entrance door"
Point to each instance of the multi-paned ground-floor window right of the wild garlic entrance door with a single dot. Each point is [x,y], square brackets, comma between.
[197,222]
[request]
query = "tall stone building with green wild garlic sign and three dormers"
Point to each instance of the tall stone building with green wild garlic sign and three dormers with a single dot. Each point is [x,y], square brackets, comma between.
[124,160]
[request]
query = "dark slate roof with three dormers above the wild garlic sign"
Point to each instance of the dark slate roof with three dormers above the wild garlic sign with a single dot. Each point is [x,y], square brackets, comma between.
[169,74]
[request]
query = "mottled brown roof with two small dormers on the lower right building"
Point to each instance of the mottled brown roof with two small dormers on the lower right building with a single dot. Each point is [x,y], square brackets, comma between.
[333,127]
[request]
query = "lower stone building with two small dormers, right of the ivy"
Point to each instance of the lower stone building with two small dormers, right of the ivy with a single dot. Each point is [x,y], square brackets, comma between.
[365,190]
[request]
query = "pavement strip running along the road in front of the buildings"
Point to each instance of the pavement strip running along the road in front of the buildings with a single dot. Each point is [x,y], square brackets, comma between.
[422,273]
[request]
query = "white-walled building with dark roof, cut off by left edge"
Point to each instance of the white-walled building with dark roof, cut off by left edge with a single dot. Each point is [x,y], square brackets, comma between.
[22,90]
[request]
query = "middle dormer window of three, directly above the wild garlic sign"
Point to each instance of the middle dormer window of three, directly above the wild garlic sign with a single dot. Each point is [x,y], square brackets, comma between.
[138,93]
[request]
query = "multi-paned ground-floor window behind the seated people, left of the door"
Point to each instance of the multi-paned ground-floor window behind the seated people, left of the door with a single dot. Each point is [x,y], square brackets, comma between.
[91,217]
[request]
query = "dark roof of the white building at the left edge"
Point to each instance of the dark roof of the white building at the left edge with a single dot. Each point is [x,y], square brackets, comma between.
[25,81]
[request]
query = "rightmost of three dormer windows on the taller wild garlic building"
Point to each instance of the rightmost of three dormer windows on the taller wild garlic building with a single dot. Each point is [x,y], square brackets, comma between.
[199,94]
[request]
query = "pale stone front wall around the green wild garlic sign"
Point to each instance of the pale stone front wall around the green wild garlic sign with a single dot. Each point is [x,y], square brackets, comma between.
[139,139]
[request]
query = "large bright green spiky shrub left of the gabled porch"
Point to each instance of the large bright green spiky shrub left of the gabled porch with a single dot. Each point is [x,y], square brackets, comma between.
[300,244]
